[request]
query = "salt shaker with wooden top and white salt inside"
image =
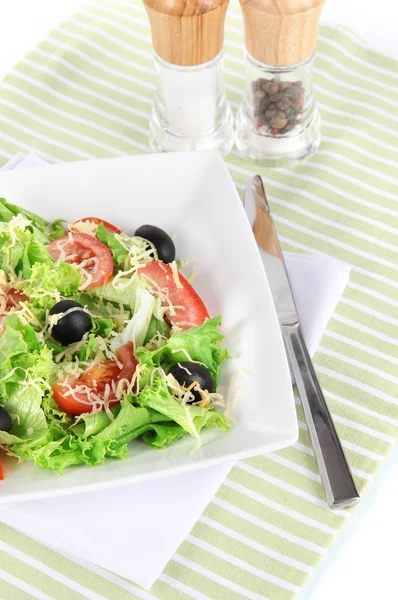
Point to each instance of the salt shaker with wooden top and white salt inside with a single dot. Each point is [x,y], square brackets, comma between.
[190,110]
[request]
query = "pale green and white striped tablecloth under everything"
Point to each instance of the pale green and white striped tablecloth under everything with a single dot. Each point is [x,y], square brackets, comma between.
[85,92]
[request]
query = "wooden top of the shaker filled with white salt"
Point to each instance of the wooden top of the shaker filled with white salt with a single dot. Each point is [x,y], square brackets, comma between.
[187,32]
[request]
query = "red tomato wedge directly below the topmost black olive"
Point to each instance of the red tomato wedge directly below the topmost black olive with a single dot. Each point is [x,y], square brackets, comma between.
[194,312]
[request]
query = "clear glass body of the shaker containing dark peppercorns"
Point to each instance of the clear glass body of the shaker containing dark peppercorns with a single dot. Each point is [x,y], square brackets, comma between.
[278,121]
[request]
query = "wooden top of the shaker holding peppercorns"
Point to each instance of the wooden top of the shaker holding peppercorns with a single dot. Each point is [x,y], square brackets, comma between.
[281,32]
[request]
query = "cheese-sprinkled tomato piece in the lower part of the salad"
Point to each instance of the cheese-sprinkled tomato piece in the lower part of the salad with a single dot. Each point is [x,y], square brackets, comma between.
[96,378]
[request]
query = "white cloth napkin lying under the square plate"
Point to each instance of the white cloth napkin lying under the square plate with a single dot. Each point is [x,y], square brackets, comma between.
[134,530]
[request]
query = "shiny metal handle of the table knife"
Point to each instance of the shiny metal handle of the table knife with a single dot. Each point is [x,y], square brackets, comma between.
[333,467]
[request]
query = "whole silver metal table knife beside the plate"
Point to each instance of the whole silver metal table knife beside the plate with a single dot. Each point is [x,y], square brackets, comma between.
[333,467]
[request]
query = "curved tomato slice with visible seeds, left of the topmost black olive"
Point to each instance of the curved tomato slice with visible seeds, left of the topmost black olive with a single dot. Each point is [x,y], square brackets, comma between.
[86,251]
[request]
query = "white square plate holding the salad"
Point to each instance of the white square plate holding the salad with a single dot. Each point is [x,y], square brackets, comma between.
[193,196]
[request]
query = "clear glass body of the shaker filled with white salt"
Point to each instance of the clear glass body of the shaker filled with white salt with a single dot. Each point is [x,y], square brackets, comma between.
[190,110]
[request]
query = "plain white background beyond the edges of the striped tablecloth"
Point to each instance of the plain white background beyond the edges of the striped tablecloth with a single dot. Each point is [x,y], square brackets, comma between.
[362,562]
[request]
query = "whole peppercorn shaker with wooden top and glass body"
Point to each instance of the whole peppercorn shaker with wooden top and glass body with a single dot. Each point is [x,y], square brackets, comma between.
[278,121]
